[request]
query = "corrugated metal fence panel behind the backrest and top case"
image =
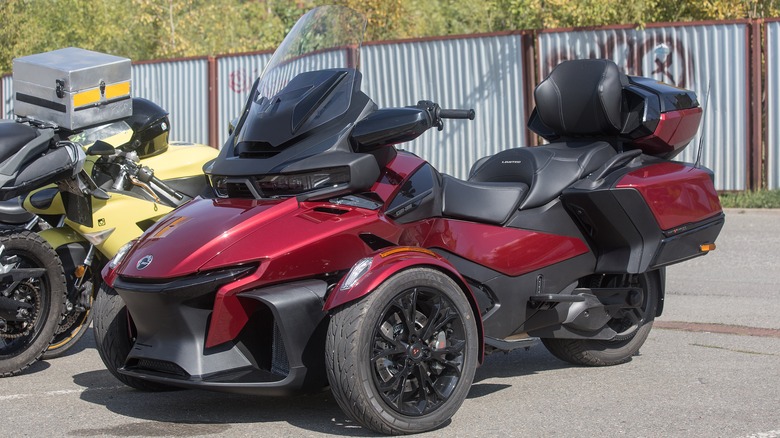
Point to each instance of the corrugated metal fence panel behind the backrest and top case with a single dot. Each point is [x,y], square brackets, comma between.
[708,59]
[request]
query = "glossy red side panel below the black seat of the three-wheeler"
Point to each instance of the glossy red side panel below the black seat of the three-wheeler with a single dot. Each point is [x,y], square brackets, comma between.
[509,251]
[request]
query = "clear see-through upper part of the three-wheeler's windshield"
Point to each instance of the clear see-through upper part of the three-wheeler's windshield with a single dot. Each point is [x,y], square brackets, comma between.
[325,37]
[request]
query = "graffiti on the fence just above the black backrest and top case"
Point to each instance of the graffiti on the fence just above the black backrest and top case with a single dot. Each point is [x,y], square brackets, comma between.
[662,57]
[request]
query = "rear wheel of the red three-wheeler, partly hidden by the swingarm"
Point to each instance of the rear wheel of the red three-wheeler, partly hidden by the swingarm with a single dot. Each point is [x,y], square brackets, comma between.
[631,325]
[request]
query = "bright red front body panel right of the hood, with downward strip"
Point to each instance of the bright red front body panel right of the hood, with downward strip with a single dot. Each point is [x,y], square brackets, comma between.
[311,240]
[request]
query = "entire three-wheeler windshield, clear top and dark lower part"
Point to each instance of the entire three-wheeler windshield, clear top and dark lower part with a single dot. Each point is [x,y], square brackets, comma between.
[302,87]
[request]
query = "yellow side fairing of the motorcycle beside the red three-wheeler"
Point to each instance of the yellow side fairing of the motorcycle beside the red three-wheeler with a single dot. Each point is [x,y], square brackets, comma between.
[125,215]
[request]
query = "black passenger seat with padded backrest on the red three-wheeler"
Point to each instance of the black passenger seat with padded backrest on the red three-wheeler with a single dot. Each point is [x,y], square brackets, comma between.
[580,104]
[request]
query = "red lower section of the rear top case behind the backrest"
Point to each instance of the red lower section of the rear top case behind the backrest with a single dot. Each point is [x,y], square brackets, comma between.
[675,130]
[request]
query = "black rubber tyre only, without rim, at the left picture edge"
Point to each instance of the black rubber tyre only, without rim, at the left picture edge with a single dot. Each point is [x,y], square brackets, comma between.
[17,355]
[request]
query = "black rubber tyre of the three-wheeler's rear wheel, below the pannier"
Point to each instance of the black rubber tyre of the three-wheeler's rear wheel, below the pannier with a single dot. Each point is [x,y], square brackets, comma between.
[597,353]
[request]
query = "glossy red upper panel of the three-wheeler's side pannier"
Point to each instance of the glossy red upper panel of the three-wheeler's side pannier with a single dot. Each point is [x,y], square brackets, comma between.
[677,193]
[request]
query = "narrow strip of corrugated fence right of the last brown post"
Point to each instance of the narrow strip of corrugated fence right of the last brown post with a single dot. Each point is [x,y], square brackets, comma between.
[772,49]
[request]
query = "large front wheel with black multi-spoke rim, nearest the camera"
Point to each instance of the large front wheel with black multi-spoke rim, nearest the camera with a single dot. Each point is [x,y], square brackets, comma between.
[355,334]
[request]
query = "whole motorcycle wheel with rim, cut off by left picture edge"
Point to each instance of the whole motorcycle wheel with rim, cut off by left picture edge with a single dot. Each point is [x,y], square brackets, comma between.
[31,306]
